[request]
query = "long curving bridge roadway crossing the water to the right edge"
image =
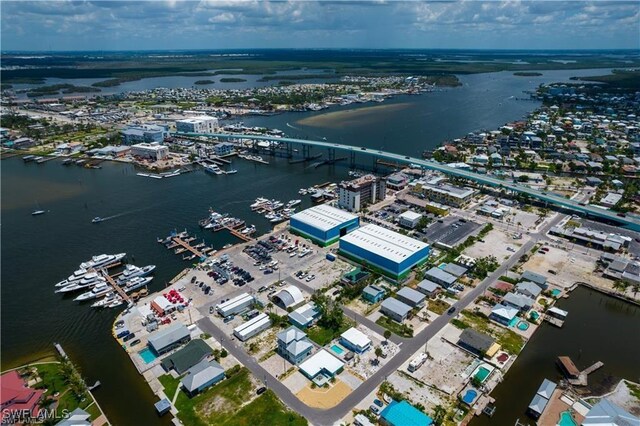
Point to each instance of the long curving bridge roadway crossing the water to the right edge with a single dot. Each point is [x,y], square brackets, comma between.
[629,221]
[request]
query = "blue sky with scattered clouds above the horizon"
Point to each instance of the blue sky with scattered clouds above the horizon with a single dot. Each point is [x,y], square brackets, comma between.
[236,24]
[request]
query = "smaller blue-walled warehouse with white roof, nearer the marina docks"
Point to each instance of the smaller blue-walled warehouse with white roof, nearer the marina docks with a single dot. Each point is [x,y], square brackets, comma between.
[323,224]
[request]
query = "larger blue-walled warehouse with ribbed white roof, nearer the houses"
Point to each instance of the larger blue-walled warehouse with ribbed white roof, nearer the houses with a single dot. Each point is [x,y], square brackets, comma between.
[392,253]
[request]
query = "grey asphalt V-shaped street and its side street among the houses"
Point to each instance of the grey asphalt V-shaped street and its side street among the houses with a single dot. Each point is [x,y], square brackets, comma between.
[407,349]
